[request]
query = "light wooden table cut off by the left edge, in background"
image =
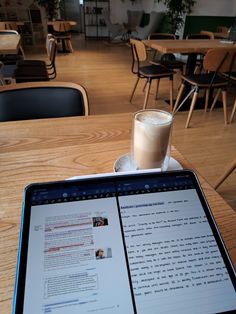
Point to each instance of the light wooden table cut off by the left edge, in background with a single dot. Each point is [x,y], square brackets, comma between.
[9,44]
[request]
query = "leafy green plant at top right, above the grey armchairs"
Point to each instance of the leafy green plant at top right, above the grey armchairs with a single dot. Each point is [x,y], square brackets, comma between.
[175,11]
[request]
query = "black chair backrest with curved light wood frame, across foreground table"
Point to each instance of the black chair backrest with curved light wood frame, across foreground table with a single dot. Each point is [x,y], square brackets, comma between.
[38,100]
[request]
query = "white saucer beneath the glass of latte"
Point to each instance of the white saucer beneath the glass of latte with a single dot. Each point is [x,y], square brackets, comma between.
[124,163]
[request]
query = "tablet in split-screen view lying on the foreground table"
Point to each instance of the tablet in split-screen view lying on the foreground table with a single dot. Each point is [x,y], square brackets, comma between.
[141,243]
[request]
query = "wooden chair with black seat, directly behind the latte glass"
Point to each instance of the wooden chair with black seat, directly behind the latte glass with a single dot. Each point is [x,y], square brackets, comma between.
[148,72]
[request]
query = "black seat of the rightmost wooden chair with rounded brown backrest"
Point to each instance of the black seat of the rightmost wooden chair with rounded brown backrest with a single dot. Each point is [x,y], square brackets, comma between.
[204,80]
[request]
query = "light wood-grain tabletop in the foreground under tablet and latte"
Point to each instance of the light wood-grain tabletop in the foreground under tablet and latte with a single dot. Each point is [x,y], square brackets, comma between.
[55,149]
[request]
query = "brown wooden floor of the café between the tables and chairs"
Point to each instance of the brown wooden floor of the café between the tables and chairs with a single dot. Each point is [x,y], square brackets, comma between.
[104,69]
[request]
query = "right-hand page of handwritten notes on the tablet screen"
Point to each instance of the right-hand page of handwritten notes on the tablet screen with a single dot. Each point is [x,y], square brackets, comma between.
[175,264]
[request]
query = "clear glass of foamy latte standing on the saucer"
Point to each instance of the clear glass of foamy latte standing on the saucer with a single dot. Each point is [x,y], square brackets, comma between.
[151,139]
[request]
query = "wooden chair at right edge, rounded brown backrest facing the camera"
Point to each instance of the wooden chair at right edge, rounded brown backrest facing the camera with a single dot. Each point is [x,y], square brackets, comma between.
[216,61]
